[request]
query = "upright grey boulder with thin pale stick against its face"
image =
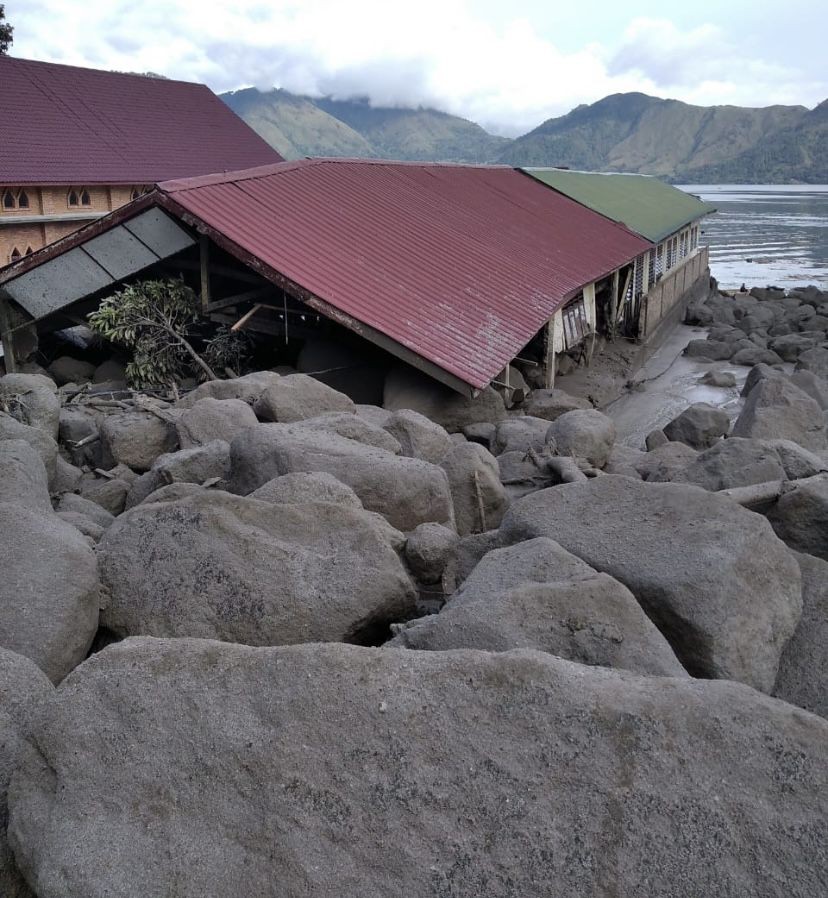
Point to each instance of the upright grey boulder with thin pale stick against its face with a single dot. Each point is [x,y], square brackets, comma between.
[477,494]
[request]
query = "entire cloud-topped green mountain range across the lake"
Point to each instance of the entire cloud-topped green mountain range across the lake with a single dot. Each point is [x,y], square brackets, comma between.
[623,132]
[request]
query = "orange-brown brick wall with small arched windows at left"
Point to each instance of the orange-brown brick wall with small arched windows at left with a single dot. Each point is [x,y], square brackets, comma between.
[48,213]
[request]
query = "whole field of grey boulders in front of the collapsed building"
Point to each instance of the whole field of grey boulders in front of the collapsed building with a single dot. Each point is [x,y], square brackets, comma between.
[222,673]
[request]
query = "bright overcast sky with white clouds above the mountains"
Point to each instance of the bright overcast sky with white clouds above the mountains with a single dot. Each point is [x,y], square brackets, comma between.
[507,65]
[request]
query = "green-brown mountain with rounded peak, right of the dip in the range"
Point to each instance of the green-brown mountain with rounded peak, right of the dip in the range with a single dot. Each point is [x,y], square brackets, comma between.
[636,133]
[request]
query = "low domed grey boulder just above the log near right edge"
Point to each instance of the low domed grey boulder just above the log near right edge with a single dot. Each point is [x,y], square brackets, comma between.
[733,462]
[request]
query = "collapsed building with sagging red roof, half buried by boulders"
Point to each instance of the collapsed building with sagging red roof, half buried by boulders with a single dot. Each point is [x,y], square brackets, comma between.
[458,271]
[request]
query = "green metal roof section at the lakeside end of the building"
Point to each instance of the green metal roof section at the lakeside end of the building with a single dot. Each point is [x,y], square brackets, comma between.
[643,203]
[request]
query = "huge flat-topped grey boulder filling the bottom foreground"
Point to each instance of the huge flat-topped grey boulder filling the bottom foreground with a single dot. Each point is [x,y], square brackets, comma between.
[204,770]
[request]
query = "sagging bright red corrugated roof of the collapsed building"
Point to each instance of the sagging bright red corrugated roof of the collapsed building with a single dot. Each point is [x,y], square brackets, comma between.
[460,264]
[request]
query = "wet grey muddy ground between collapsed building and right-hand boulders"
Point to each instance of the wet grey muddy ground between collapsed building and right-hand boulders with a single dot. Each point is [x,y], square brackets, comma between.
[666,384]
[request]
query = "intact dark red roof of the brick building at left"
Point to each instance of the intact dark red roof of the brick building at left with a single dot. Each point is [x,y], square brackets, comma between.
[68,125]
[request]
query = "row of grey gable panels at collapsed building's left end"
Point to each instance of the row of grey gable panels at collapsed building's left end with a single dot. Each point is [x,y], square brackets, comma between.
[96,263]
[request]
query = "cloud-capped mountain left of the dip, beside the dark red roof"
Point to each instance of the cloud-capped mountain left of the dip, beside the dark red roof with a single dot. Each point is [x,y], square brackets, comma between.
[301,126]
